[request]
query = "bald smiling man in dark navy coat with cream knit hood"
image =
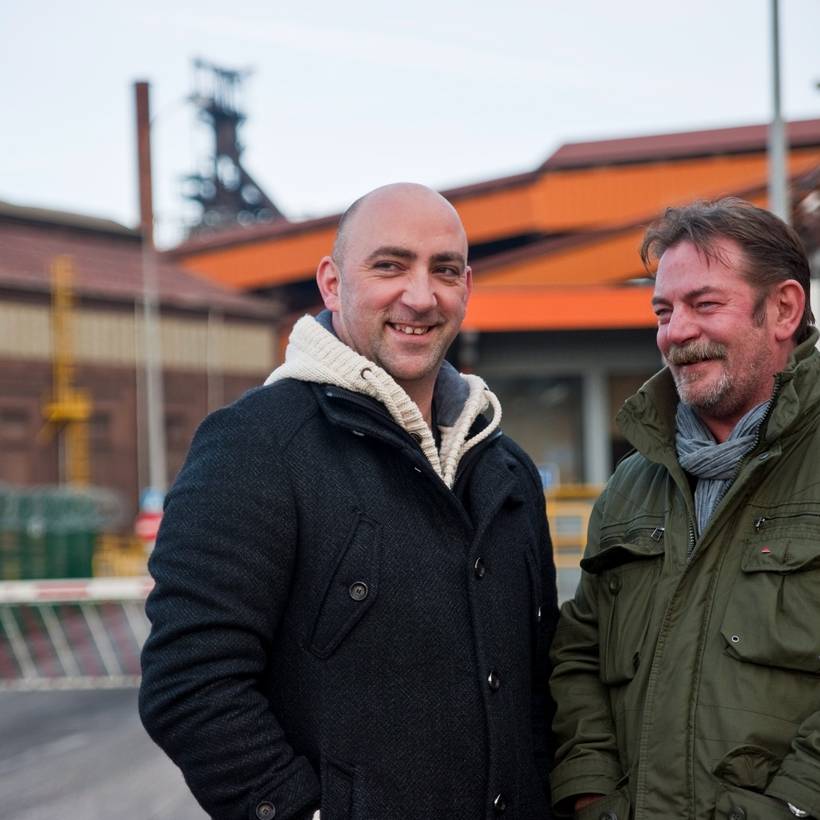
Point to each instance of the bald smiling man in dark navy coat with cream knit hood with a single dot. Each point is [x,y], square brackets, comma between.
[354,582]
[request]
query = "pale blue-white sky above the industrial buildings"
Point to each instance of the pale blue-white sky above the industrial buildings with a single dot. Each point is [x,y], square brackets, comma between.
[343,97]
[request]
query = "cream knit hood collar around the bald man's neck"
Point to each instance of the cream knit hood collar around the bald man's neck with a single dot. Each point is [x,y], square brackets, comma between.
[315,354]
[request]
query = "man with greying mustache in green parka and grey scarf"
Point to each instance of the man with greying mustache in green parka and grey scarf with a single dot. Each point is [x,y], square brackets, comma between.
[687,667]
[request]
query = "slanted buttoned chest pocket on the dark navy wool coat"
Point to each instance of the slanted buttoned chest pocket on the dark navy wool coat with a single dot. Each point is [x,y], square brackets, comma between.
[352,588]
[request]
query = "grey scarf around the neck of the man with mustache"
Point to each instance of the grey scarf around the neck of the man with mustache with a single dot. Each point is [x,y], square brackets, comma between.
[713,464]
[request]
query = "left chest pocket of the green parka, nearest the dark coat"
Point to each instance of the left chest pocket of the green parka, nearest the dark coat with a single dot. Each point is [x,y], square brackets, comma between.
[628,568]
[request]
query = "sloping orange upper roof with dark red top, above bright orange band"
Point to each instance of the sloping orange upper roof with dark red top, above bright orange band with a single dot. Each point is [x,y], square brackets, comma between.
[588,202]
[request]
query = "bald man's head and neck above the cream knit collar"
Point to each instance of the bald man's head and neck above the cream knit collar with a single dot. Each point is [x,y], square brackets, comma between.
[398,283]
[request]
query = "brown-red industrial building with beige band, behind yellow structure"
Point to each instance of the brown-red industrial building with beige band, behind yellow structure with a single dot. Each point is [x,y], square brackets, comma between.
[72,353]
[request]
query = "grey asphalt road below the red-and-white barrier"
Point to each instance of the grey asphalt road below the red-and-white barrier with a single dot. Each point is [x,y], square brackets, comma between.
[84,756]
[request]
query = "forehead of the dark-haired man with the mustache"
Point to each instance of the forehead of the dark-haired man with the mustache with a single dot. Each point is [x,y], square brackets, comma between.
[684,268]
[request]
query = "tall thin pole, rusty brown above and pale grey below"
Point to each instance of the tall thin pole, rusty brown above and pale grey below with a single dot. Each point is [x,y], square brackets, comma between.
[157,470]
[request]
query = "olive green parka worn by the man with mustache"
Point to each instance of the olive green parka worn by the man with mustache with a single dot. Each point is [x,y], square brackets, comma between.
[687,669]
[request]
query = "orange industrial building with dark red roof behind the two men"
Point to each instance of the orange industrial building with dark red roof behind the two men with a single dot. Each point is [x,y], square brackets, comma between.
[559,322]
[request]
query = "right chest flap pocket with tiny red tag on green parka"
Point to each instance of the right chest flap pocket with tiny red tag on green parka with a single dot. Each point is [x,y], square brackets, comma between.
[774,607]
